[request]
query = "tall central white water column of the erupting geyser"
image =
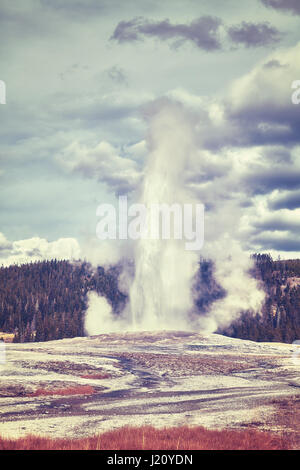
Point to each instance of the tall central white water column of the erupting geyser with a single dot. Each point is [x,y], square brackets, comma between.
[160,296]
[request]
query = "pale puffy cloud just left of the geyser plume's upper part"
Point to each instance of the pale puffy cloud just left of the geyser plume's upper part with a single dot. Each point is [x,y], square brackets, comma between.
[103,163]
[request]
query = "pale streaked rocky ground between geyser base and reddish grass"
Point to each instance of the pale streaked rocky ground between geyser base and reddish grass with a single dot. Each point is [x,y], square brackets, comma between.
[82,386]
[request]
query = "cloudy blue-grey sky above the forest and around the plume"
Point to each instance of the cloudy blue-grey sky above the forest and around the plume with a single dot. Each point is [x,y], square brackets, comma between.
[79,75]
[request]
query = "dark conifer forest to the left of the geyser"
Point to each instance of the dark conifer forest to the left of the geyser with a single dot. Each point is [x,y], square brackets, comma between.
[47,300]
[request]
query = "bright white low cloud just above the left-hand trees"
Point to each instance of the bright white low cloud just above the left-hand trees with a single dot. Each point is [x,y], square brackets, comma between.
[37,249]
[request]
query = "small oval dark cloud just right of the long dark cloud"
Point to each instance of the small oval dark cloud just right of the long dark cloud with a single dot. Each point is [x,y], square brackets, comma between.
[254,35]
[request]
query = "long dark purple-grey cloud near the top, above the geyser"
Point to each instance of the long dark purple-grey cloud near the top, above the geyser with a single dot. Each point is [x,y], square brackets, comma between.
[202,32]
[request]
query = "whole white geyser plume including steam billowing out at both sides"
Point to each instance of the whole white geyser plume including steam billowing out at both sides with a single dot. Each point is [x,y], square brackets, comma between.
[160,294]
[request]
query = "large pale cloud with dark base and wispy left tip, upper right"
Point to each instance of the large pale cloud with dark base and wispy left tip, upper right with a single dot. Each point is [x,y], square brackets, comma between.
[257,109]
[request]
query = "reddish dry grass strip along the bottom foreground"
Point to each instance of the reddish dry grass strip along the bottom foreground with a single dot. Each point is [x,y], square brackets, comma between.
[149,438]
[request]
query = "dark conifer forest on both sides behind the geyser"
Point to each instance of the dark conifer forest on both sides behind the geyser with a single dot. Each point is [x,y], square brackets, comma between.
[47,300]
